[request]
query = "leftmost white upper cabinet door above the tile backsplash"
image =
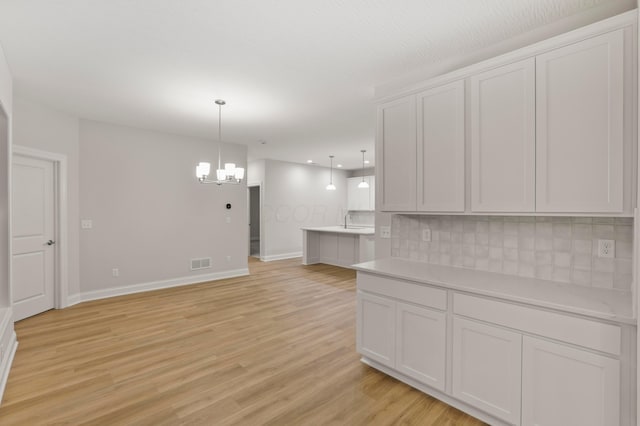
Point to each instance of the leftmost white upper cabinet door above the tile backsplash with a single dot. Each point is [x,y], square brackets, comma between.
[396,154]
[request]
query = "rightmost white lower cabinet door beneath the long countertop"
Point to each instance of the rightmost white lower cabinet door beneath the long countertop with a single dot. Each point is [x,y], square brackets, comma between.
[567,386]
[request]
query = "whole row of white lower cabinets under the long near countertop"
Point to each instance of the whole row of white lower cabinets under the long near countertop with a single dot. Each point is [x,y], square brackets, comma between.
[504,362]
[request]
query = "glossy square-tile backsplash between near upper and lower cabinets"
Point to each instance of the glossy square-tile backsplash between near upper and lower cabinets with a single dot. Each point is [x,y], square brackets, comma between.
[562,249]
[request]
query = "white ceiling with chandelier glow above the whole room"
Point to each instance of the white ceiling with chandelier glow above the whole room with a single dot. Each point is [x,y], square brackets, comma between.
[296,74]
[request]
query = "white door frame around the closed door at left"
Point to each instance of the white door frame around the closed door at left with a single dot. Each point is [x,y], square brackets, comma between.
[61,233]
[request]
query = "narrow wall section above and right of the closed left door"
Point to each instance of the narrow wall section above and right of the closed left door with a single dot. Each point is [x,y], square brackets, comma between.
[47,129]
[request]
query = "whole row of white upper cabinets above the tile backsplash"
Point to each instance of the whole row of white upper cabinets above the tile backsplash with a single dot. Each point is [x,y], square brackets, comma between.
[547,129]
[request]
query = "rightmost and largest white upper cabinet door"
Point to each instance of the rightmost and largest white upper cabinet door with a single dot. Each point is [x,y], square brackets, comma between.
[579,154]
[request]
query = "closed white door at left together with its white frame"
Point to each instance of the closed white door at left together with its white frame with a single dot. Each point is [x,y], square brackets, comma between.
[38,225]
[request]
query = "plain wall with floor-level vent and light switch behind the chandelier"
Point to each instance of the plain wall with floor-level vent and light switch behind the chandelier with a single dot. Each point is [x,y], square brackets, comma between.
[150,215]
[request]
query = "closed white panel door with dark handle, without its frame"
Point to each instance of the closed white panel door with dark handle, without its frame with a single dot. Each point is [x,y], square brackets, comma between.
[33,236]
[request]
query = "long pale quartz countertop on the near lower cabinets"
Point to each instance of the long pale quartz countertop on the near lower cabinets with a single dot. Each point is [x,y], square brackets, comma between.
[606,304]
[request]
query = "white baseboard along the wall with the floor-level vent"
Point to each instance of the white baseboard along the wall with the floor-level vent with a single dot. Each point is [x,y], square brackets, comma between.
[156,285]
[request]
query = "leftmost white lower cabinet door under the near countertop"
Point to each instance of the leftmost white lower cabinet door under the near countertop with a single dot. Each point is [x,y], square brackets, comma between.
[375,328]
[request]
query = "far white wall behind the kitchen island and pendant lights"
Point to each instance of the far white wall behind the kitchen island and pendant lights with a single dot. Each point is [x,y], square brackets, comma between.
[294,196]
